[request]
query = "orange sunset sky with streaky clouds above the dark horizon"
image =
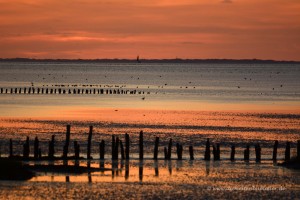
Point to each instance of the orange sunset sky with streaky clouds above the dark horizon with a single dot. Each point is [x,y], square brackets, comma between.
[233,29]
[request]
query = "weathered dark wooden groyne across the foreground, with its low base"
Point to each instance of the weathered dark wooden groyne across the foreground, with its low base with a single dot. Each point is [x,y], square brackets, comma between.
[118,151]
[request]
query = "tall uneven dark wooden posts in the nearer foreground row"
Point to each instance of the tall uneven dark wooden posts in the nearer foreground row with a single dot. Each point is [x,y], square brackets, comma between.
[118,144]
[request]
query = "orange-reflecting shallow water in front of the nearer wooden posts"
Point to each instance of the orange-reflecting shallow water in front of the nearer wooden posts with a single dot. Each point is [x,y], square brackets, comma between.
[163,180]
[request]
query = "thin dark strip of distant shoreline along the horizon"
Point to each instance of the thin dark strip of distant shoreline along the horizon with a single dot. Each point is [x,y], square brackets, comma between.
[178,60]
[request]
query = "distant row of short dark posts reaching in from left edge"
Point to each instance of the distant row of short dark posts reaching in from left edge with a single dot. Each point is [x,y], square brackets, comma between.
[32,90]
